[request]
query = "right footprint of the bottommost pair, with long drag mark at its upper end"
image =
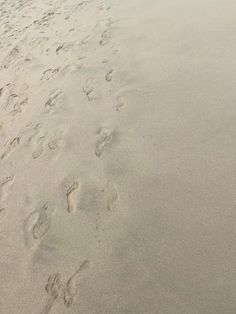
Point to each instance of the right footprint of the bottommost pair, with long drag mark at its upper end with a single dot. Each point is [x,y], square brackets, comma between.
[72,285]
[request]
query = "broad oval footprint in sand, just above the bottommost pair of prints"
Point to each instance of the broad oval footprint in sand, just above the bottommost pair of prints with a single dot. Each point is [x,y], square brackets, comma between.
[37,225]
